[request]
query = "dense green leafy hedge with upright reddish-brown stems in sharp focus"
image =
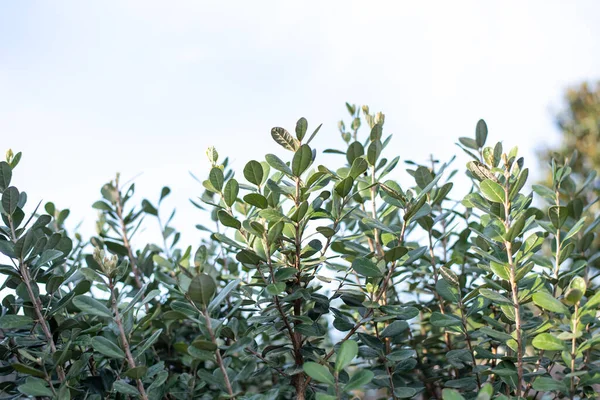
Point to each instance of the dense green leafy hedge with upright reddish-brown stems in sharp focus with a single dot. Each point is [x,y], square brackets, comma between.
[316,281]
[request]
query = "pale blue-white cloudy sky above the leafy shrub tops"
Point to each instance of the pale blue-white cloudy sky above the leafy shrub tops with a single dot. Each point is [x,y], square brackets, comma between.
[88,89]
